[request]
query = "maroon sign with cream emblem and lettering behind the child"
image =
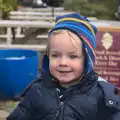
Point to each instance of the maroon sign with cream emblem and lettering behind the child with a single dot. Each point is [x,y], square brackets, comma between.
[107,63]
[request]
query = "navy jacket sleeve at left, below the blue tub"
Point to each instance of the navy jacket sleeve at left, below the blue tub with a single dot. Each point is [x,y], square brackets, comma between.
[24,109]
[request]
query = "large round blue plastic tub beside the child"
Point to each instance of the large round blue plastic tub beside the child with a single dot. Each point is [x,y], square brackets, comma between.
[18,67]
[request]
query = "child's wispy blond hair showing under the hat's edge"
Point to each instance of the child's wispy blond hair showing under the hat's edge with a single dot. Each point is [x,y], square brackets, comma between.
[73,40]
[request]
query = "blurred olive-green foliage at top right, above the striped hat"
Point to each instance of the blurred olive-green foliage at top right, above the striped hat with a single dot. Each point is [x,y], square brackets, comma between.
[103,9]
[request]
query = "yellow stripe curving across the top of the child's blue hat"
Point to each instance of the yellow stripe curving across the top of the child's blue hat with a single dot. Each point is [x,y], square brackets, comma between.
[77,20]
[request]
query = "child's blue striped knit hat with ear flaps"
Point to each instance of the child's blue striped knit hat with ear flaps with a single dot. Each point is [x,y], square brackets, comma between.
[79,25]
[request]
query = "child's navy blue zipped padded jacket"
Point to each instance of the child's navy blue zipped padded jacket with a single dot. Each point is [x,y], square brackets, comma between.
[89,100]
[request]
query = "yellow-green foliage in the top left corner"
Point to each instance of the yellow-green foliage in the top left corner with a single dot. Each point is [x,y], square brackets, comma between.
[6,6]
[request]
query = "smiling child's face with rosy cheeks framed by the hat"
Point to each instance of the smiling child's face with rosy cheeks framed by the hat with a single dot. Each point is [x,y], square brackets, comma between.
[66,57]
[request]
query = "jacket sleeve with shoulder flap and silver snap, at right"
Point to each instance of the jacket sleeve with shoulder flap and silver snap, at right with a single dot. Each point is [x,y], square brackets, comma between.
[111,101]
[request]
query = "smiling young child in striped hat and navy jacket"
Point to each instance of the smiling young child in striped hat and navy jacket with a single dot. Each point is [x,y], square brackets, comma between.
[68,88]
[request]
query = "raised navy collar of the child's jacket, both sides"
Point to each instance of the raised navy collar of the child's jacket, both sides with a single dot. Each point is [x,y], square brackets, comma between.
[85,84]
